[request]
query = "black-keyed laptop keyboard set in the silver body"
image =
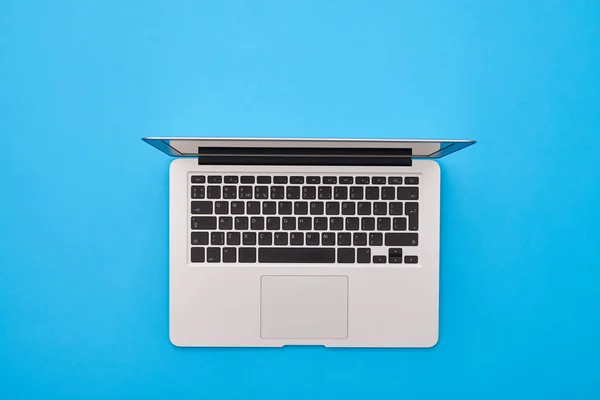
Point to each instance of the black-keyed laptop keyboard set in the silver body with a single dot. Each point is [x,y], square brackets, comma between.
[304,219]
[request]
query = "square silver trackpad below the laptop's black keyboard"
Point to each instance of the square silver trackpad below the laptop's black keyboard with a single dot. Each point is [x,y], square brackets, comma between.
[304,307]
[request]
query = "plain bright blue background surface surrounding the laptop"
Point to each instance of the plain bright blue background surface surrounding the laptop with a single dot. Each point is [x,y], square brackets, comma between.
[84,223]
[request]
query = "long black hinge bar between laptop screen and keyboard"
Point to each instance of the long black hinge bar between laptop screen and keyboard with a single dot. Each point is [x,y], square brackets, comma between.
[304,156]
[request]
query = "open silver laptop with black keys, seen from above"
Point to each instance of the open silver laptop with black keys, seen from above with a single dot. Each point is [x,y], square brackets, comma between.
[331,242]
